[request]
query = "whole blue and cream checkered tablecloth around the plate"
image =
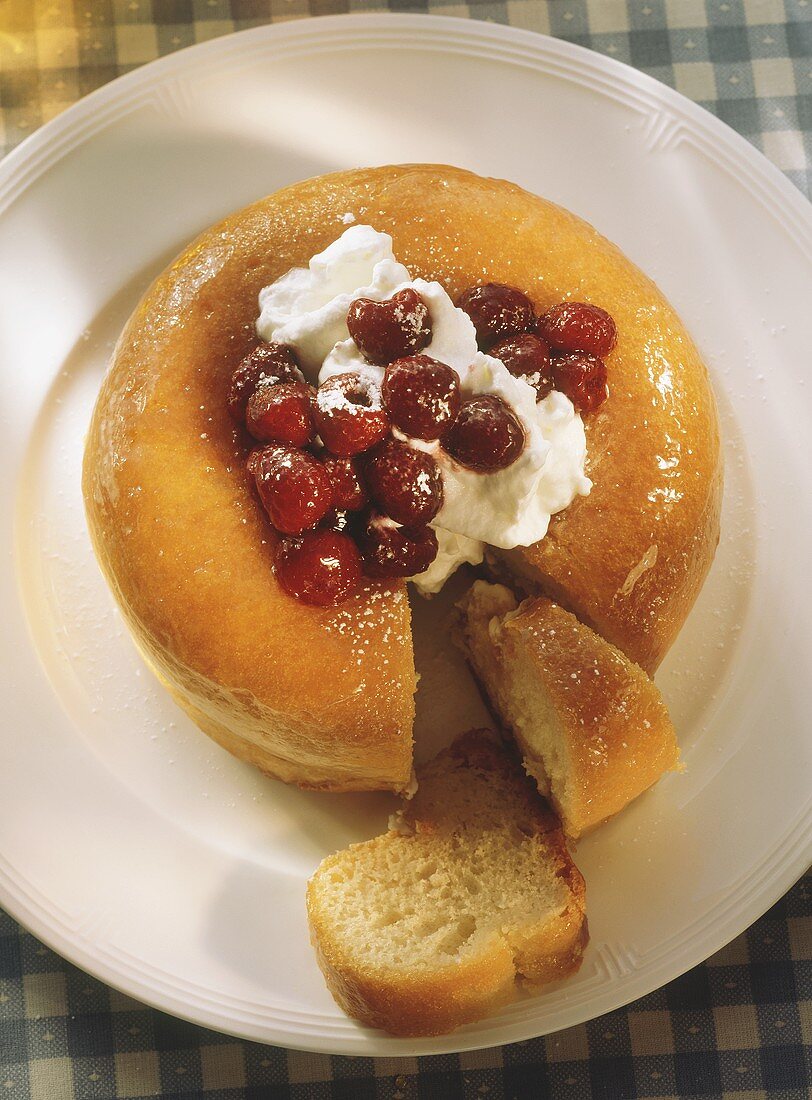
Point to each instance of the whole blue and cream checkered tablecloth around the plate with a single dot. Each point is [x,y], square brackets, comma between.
[740,1026]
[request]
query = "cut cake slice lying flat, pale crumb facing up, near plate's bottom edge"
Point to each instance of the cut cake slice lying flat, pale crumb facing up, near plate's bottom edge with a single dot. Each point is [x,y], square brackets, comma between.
[431,926]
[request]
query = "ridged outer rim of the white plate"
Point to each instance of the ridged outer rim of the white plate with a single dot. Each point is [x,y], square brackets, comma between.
[43,149]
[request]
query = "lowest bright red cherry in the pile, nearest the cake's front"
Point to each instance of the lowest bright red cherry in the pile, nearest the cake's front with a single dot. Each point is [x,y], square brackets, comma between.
[321,568]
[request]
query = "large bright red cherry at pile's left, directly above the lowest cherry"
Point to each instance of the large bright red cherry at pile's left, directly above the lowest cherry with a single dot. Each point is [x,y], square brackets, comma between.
[294,488]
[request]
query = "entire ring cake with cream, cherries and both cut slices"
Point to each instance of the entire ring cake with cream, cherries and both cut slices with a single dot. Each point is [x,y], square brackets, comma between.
[370,379]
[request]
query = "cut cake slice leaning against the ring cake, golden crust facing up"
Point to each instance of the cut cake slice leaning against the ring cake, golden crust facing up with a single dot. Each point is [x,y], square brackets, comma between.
[592,728]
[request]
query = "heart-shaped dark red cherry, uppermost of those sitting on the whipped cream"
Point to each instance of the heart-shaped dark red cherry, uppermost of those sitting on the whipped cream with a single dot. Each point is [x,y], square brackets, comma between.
[388,331]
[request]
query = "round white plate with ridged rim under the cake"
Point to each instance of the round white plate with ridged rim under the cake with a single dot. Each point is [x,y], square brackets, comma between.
[134,845]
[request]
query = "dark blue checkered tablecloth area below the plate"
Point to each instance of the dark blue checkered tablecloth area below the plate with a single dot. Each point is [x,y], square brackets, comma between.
[738,1028]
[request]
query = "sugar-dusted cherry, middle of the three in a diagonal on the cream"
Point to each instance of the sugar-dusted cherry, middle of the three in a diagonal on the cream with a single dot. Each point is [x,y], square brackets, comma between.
[421,395]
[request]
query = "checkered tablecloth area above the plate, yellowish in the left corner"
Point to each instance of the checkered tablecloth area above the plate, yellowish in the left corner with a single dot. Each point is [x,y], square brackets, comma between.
[750,62]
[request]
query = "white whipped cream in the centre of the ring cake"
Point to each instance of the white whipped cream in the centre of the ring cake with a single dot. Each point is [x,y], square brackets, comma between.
[308,309]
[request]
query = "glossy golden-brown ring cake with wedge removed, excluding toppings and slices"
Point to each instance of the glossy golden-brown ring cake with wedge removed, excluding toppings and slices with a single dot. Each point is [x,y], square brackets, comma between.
[325,698]
